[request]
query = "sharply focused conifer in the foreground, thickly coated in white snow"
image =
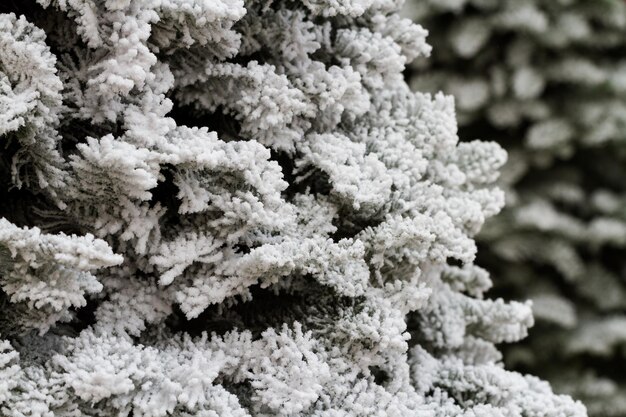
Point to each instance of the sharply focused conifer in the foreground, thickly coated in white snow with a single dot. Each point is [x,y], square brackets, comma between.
[218,208]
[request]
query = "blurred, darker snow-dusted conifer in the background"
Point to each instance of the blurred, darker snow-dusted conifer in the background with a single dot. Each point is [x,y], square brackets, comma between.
[547,79]
